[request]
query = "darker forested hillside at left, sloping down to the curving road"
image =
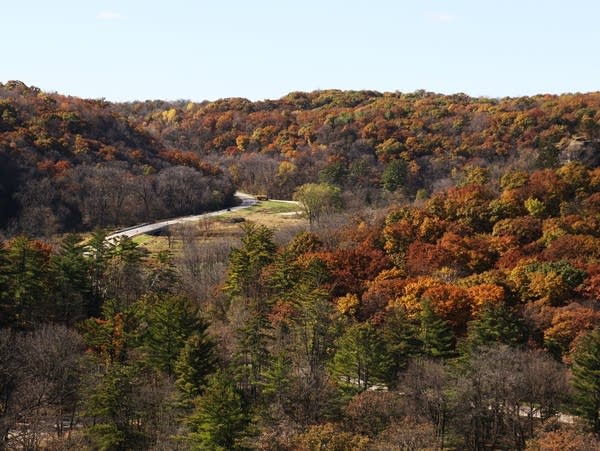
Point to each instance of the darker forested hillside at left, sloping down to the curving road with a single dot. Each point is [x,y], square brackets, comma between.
[73,164]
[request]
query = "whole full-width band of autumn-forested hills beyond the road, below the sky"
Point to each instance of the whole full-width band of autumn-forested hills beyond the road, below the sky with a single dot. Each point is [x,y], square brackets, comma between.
[70,164]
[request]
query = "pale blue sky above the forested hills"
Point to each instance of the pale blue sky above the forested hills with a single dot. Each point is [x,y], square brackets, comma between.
[176,49]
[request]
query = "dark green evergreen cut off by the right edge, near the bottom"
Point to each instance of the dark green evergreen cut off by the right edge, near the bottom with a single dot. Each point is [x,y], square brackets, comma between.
[586,378]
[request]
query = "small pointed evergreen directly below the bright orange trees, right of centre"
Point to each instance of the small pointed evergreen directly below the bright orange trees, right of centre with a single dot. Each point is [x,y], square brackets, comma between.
[436,336]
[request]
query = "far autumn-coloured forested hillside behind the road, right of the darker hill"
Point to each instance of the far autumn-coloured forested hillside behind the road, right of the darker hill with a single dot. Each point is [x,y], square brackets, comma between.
[365,141]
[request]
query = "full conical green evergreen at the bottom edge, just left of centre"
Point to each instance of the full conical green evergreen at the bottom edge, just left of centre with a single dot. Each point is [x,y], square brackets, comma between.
[220,420]
